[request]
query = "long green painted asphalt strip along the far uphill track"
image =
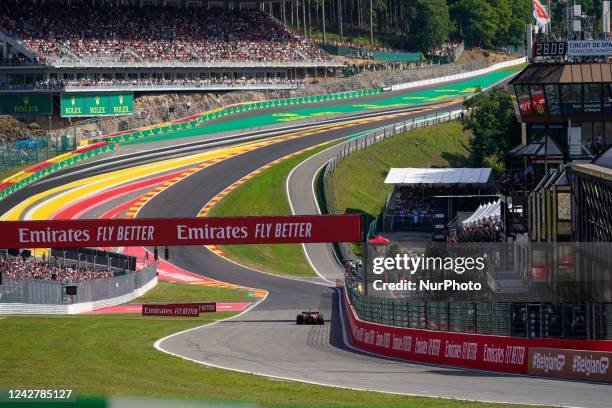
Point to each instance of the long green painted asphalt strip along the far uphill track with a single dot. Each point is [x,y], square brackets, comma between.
[459,89]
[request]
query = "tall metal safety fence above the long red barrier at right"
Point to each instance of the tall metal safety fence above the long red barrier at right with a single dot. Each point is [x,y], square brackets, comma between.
[592,321]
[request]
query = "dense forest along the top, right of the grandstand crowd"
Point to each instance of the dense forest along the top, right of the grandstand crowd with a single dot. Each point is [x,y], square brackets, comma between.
[419,25]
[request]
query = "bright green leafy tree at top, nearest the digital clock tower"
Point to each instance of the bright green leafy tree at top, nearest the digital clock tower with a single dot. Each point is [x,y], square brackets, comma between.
[476,20]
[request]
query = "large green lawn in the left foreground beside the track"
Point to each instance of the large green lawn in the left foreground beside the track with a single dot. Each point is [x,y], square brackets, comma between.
[113,355]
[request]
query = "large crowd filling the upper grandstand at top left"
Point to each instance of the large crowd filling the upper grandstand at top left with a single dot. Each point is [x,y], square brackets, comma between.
[130,34]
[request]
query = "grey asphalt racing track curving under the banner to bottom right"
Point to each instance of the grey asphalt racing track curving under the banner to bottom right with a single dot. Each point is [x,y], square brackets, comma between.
[266,340]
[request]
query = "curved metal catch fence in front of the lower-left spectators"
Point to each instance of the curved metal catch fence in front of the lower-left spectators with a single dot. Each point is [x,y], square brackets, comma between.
[42,292]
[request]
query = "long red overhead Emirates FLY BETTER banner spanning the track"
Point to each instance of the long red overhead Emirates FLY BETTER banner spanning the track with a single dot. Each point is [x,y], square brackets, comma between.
[181,231]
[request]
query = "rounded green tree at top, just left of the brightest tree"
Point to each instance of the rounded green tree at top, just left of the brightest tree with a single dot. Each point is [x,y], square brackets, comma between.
[431,24]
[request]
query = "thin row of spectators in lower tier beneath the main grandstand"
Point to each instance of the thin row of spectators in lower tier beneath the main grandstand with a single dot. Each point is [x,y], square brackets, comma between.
[53,84]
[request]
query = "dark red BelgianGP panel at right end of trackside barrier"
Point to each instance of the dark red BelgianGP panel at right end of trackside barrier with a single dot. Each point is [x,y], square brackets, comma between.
[580,365]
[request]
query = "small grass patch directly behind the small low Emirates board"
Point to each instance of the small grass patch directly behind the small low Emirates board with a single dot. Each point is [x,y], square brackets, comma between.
[178,292]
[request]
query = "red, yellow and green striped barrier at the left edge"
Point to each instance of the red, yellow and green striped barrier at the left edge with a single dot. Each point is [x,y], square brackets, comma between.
[19,180]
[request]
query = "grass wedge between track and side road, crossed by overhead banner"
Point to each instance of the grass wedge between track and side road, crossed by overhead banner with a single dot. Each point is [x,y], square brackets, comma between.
[265,194]
